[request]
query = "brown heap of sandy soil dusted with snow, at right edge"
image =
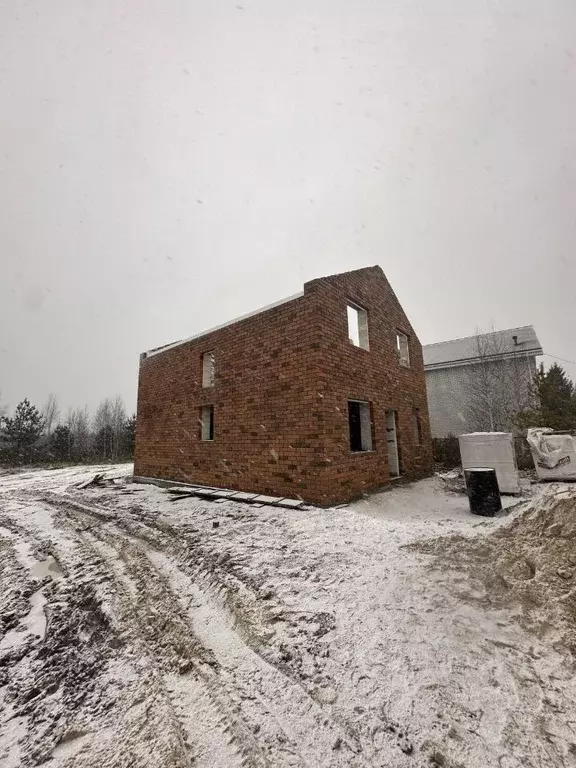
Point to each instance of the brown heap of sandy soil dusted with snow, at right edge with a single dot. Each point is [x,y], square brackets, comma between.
[528,565]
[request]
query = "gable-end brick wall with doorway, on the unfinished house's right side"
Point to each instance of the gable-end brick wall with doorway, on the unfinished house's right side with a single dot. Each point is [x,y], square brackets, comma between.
[374,375]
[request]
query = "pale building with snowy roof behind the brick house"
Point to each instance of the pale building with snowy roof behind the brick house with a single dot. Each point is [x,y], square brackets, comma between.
[478,382]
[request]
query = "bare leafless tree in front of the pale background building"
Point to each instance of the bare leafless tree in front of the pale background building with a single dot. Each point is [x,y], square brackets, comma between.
[499,383]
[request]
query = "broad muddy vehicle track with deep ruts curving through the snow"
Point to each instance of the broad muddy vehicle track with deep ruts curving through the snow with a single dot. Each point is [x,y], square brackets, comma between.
[198,631]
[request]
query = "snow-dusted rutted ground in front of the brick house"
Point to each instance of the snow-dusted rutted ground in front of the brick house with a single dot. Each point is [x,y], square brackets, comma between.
[141,631]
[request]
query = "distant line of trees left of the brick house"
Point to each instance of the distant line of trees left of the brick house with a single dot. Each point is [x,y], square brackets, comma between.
[32,435]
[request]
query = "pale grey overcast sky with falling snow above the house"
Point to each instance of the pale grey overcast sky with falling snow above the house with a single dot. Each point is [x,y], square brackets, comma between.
[167,165]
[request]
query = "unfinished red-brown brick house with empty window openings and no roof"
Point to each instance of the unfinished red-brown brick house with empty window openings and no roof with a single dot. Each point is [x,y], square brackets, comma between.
[321,396]
